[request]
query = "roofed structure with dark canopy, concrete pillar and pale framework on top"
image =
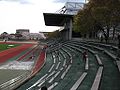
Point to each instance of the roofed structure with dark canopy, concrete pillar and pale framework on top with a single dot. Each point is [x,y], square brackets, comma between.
[64,18]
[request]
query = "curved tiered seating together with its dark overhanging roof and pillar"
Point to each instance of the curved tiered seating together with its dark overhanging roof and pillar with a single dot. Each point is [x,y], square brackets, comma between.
[65,69]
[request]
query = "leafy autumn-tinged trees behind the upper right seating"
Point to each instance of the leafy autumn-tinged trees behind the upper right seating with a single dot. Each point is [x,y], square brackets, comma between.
[98,15]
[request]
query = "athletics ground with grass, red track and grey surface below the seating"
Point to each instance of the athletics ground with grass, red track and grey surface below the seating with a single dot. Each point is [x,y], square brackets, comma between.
[16,63]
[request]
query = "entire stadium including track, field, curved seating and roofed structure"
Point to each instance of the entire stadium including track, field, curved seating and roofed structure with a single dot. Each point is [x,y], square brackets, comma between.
[67,62]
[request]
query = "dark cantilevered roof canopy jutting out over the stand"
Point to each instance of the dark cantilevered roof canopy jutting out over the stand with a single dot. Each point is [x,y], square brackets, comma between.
[54,19]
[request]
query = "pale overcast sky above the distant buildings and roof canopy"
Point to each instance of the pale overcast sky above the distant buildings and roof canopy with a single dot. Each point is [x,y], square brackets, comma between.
[27,14]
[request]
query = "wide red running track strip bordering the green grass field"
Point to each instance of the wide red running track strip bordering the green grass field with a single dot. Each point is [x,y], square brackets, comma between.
[10,53]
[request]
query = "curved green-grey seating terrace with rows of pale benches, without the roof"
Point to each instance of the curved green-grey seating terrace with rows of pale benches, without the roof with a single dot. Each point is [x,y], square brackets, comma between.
[68,71]
